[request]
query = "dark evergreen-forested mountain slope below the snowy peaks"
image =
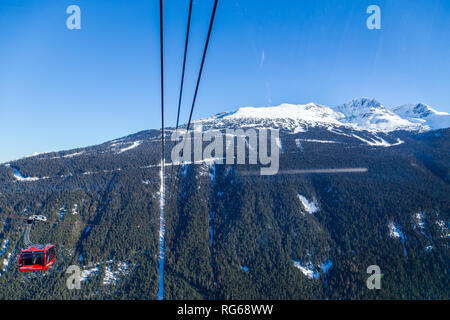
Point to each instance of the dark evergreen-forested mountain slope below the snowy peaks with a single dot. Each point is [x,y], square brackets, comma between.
[231,235]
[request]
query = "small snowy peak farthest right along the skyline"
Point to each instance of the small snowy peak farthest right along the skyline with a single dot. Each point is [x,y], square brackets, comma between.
[423,114]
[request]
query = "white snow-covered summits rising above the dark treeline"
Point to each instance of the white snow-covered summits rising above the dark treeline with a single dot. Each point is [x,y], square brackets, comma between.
[358,114]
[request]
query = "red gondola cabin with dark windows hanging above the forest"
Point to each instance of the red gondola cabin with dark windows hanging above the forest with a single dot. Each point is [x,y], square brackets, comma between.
[37,258]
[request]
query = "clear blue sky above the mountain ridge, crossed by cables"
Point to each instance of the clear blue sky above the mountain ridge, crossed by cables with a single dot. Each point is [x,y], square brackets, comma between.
[61,89]
